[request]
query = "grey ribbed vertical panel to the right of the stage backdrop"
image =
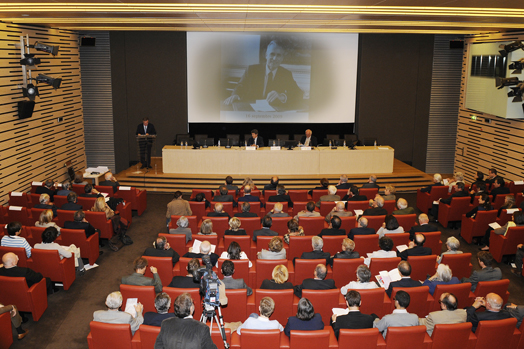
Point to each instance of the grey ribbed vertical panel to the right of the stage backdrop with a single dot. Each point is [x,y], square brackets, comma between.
[445,96]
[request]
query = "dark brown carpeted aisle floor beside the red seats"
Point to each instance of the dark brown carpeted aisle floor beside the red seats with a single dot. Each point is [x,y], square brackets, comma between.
[65,324]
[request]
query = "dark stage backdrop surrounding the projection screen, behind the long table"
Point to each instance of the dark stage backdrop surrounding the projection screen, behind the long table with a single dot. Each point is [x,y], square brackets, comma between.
[148,71]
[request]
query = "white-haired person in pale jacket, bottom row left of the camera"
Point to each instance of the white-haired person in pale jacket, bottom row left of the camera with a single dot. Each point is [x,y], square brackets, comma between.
[115,316]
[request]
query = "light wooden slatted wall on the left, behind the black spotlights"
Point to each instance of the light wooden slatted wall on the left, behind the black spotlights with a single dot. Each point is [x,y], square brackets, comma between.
[37,148]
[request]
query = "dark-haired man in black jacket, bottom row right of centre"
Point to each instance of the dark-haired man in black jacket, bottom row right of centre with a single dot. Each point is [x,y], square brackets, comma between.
[354,318]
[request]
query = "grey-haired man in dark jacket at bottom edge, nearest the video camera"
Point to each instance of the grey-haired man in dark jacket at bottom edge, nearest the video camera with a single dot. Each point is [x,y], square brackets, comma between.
[182,331]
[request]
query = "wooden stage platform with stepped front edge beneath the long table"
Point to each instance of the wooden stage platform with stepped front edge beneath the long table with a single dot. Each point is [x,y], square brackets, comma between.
[404,178]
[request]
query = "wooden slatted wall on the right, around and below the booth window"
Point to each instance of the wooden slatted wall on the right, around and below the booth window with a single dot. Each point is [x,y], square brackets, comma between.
[489,141]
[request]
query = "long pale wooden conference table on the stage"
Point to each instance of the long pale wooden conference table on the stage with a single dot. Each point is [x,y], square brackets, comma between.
[239,161]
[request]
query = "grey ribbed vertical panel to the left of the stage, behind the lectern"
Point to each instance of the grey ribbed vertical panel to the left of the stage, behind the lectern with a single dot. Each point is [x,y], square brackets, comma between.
[95,62]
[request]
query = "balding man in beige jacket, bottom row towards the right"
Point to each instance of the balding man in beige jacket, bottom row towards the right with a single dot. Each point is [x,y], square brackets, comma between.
[449,313]
